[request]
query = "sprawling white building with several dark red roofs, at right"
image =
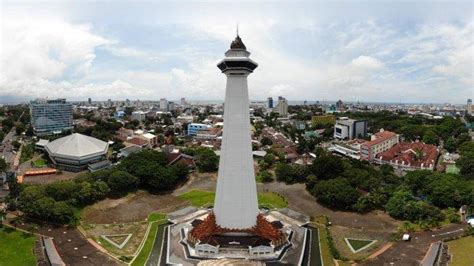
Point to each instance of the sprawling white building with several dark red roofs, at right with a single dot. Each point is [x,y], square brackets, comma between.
[410,156]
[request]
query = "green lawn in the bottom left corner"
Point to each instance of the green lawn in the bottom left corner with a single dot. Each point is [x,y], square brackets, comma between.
[16,248]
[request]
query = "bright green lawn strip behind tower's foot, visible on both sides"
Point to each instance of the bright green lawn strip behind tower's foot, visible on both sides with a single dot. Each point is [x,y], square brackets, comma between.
[201,198]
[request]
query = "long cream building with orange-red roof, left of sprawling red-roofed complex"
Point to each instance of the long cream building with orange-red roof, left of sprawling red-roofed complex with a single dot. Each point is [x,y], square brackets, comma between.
[380,142]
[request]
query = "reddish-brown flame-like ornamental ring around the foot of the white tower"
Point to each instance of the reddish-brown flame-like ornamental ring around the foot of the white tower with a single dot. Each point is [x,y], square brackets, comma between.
[264,229]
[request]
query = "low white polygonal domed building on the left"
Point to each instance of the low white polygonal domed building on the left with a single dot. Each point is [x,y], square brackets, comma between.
[76,152]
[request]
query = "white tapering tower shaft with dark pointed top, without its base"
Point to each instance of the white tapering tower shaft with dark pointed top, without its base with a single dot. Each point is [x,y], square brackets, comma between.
[236,205]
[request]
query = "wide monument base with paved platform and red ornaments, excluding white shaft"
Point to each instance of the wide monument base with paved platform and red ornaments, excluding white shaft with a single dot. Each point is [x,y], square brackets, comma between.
[279,236]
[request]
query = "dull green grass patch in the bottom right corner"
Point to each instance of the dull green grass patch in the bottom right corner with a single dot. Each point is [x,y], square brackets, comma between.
[461,251]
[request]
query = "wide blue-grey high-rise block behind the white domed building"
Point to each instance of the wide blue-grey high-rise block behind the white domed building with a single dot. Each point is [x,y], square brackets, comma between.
[51,116]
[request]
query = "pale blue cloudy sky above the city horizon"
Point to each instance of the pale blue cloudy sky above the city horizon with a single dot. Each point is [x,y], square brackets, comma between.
[377,51]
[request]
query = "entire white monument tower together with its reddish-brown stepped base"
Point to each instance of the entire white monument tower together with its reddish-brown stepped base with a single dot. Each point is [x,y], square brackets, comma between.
[235,227]
